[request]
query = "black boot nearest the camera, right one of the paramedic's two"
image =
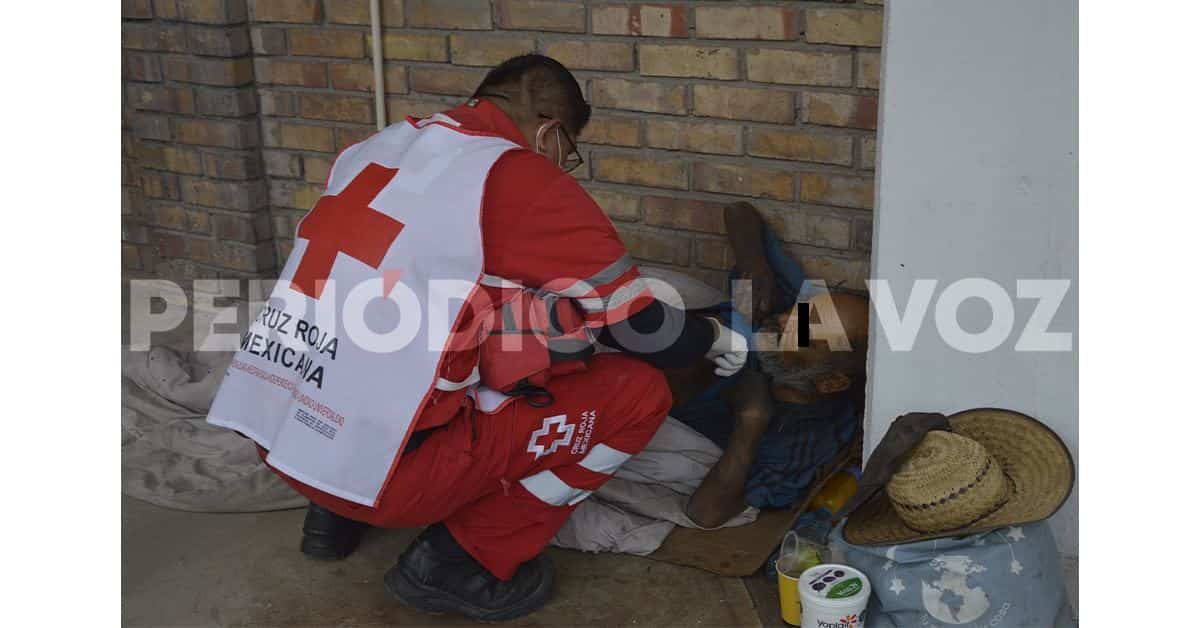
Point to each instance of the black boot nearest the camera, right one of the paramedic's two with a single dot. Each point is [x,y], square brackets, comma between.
[436,575]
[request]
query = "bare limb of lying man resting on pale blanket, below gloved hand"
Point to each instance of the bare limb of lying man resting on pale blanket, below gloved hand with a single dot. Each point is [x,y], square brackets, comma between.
[722,495]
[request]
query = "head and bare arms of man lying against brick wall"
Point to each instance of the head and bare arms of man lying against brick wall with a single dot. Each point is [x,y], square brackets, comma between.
[802,375]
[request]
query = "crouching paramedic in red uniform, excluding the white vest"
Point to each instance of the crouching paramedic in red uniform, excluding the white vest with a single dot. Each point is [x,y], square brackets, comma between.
[495,489]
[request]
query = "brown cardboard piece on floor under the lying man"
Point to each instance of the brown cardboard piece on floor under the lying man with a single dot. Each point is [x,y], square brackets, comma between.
[741,552]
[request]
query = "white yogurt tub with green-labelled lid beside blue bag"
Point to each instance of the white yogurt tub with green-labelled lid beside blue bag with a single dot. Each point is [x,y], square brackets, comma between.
[833,596]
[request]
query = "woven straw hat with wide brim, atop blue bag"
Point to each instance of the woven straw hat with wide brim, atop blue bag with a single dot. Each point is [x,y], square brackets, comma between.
[993,469]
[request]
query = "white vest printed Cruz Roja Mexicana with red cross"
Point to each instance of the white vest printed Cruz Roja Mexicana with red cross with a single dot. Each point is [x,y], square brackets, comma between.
[331,378]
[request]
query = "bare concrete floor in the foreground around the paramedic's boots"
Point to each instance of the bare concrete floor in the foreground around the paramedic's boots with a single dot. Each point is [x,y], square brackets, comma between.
[245,570]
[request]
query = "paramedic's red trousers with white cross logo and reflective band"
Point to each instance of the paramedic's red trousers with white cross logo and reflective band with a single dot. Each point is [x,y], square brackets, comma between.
[505,486]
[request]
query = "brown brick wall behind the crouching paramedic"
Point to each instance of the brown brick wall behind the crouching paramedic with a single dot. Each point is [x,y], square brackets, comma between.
[236,110]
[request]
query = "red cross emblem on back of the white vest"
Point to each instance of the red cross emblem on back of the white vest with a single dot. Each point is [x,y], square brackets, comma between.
[346,224]
